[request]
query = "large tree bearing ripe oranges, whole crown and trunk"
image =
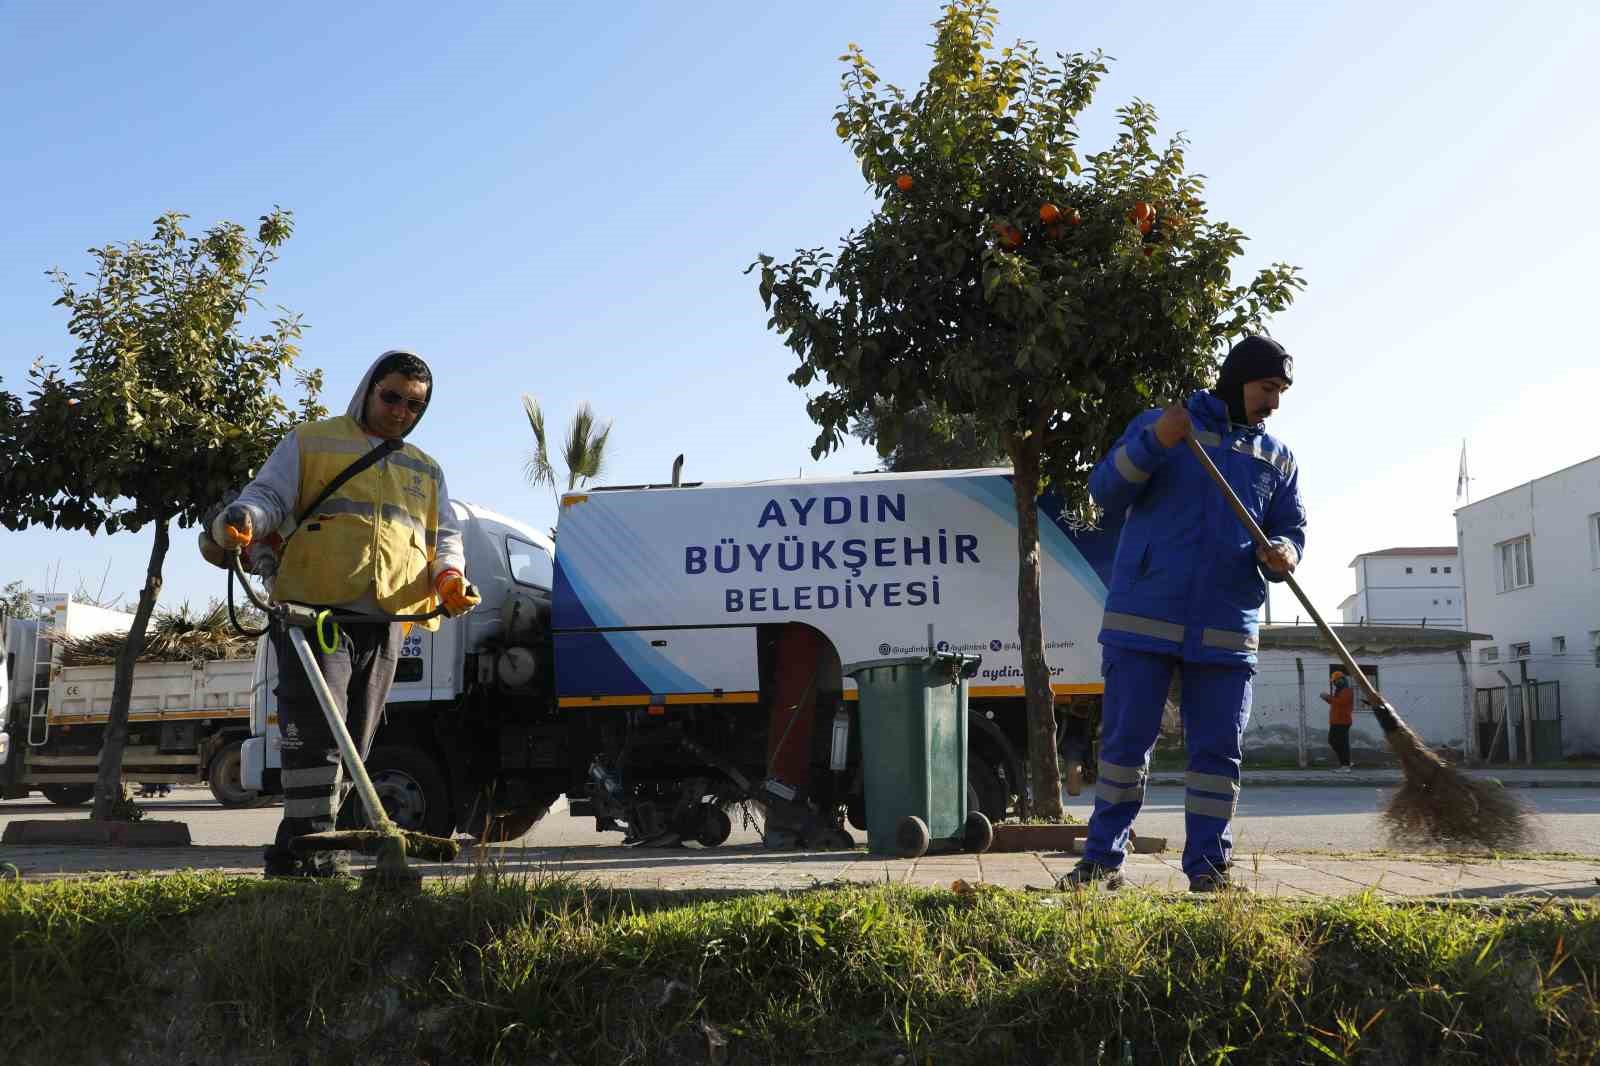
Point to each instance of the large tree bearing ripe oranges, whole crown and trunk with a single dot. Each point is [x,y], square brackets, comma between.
[1004,276]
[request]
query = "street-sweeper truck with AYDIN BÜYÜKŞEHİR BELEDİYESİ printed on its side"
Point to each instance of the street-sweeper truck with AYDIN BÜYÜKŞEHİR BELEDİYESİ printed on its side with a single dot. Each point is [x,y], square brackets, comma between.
[681,647]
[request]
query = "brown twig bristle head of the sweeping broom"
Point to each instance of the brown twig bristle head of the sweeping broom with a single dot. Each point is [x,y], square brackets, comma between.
[1442,808]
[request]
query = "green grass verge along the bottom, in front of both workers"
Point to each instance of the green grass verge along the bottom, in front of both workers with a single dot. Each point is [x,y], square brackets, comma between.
[202,969]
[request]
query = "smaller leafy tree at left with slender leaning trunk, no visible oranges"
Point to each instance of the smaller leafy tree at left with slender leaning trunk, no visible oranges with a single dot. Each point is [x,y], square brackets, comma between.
[162,409]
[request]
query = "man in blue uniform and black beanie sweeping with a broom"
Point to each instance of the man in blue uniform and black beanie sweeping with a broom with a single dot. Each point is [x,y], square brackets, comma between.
[1185,596]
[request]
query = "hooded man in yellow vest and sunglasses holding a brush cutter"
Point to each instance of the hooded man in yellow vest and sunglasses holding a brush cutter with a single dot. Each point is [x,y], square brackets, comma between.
[382,543]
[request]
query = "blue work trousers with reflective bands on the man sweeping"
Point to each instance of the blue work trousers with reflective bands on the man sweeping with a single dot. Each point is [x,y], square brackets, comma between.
[1215,711]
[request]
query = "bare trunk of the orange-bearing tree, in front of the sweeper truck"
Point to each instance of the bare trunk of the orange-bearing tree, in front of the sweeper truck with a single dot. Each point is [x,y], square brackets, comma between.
[1044,772]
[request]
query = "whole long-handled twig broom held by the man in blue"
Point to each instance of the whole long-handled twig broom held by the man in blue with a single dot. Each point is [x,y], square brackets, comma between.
[1438,804]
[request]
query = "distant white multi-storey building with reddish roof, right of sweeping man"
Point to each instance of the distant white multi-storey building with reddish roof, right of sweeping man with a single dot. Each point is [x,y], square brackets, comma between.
[1407,587]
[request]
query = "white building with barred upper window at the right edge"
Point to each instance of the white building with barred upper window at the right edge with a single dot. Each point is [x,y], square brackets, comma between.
[1532,564]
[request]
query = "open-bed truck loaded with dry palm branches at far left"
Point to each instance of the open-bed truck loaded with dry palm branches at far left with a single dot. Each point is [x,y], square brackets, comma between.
[186,721]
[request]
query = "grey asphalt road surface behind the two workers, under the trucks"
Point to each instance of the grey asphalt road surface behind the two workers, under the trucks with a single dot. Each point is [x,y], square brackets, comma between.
[1294,819]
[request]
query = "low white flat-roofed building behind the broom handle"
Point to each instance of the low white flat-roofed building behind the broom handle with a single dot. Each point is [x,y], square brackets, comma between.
[1425,673]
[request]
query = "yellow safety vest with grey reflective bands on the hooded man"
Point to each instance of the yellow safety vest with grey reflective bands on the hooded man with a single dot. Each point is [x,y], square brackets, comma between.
[375,532]
